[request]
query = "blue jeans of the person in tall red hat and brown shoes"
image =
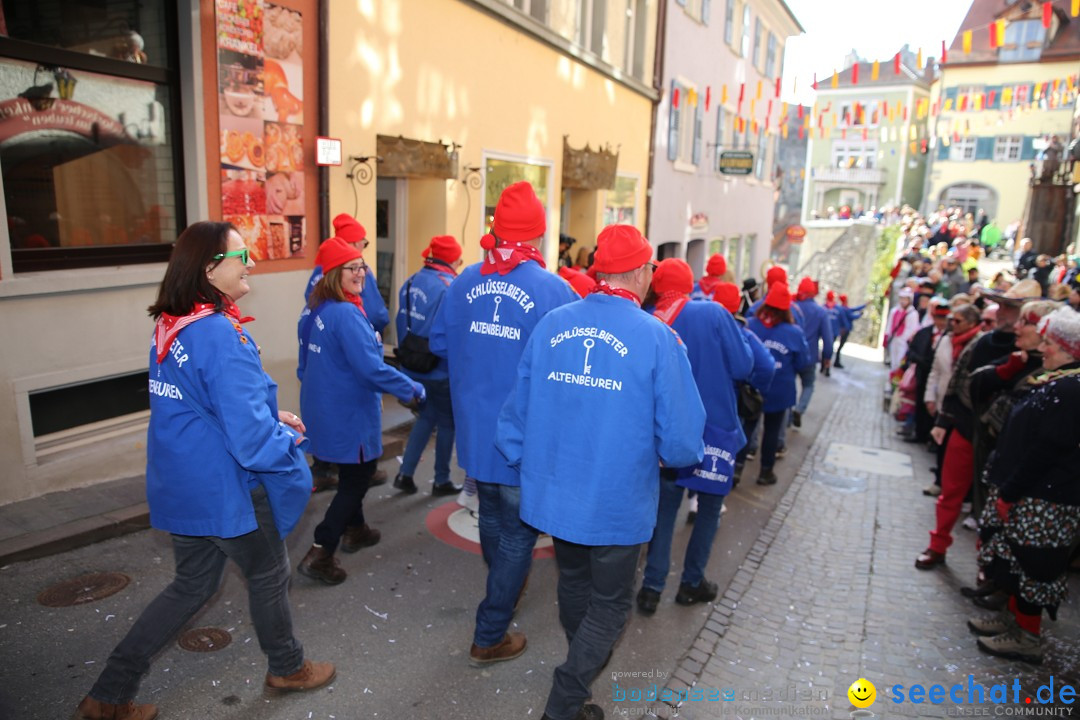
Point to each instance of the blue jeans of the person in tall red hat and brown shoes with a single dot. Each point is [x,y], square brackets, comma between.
[507,545]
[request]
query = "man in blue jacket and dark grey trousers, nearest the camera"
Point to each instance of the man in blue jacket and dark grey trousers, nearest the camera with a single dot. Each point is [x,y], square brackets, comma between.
[605,393]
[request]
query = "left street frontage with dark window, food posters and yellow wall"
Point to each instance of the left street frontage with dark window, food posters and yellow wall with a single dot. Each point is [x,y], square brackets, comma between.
[124,123]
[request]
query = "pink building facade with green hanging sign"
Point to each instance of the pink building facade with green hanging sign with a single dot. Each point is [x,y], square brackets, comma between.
[722,65]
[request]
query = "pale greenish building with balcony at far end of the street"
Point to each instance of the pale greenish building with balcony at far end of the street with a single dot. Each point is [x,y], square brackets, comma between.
[869,138]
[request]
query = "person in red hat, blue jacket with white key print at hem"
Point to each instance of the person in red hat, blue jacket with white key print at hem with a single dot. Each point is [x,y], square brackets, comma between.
[720,357]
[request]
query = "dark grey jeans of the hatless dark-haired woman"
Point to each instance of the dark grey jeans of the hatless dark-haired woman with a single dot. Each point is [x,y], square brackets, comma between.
[200,565]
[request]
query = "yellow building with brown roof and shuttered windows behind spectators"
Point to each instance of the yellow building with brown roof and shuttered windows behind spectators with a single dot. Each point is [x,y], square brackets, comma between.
[1001,106]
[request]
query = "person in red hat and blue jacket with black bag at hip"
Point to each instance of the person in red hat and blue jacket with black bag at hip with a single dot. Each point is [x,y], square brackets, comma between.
[418,303]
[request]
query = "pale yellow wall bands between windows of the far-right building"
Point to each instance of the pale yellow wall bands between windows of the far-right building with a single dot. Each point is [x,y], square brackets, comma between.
[1008,179]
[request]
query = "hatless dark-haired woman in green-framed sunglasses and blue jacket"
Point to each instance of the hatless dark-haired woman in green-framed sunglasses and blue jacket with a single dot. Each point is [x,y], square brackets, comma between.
[225,474]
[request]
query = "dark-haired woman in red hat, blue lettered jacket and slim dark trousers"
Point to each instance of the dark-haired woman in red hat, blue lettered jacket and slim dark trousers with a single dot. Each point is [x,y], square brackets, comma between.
[777,330]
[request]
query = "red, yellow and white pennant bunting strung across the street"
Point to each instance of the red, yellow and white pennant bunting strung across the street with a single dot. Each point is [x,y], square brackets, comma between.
[1009,100]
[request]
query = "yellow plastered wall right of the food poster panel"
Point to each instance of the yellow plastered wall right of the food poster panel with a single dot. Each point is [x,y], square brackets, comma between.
[444,71]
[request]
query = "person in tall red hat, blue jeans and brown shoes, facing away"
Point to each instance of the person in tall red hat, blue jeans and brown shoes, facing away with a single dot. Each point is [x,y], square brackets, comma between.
[482,327]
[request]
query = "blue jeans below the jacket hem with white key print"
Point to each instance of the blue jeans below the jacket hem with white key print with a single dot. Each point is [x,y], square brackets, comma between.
[658,562]
